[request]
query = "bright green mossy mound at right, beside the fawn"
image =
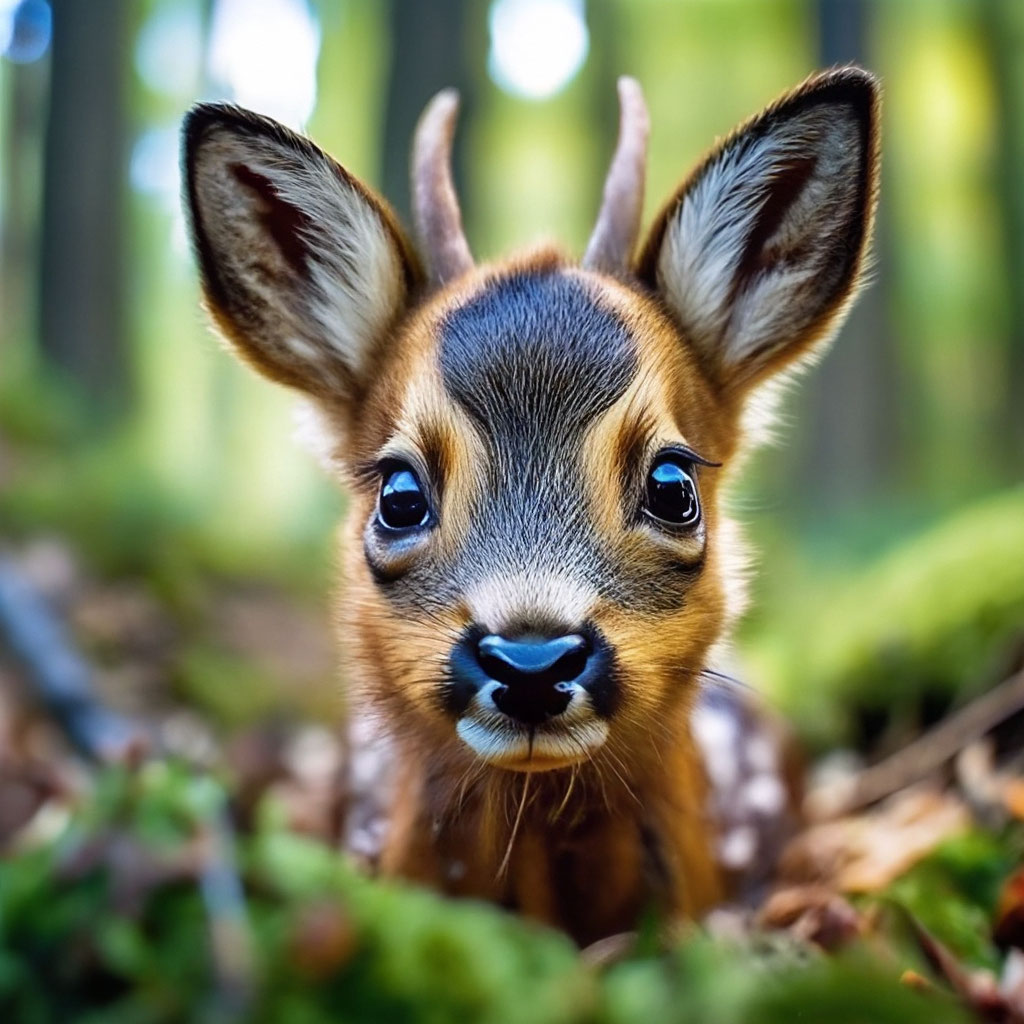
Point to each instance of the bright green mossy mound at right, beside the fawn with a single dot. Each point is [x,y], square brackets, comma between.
[942,614]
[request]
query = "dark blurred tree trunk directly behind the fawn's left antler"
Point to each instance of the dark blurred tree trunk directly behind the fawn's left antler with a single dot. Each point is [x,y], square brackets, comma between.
[430,49]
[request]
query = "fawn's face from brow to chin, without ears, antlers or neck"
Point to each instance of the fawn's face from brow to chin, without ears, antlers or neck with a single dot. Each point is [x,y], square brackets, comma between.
[536,511]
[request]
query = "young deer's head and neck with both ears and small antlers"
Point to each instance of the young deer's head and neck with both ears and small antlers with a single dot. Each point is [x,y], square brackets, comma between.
[538,564]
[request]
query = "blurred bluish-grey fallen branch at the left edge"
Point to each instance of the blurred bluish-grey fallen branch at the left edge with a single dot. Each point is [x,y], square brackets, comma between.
[59,676]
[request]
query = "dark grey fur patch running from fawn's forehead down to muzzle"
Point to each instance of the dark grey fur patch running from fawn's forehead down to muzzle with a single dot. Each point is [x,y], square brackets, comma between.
[535,360]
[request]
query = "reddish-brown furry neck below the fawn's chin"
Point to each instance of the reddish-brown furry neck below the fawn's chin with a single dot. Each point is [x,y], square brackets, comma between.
[587,848]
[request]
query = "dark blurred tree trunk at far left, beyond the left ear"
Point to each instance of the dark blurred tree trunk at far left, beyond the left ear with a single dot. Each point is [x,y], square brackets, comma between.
[82,312]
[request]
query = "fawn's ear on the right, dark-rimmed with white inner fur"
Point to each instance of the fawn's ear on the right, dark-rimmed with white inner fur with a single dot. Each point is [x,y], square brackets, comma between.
[760,252]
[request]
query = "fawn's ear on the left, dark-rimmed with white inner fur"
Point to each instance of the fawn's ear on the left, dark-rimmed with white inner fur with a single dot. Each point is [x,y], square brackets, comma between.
[304,269]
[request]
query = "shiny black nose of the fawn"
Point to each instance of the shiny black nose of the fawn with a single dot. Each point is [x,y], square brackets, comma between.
[535,673]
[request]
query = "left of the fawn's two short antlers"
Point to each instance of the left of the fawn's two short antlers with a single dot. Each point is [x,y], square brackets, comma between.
[436,206]
